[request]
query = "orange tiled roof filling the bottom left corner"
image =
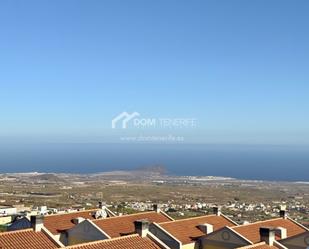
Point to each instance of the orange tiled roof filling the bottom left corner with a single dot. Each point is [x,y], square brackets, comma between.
[25,239]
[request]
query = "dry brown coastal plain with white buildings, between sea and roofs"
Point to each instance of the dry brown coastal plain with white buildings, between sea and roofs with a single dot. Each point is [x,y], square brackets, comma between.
[137,190]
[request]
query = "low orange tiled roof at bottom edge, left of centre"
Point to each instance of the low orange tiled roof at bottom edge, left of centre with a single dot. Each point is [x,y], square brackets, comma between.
[127,242]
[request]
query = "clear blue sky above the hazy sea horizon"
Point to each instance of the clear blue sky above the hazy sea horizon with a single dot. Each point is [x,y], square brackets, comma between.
[241,67]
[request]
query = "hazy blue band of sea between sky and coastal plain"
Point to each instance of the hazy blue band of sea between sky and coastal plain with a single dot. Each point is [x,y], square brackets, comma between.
[262,162]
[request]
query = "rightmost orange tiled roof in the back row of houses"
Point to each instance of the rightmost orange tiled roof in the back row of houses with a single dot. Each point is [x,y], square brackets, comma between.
[252,231]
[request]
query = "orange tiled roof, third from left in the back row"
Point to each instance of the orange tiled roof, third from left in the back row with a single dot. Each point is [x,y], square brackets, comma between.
[187,230]
